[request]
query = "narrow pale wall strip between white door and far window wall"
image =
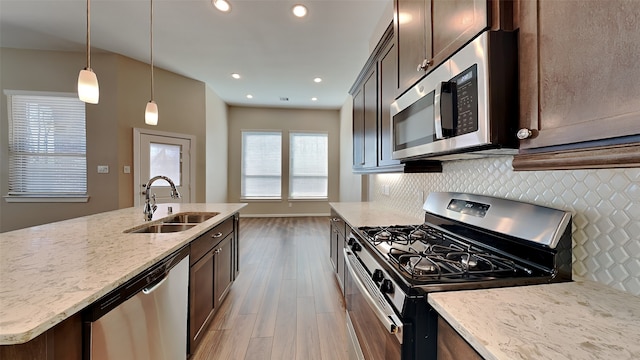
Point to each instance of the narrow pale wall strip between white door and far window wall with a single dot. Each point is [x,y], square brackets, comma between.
[217,148]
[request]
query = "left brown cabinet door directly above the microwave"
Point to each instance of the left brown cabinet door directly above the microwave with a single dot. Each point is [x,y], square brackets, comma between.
[412,31]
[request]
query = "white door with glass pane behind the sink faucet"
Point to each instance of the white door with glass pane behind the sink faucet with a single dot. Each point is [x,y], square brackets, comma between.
[162,154]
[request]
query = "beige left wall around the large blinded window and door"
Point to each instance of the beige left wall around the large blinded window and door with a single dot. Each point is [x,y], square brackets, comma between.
[124,91]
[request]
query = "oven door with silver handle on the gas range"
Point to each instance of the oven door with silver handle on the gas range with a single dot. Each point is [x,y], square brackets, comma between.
[374,328]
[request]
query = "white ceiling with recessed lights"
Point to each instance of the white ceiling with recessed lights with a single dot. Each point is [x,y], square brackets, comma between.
[277,54]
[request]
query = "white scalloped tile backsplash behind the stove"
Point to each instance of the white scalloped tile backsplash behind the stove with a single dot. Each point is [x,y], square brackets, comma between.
[605,206]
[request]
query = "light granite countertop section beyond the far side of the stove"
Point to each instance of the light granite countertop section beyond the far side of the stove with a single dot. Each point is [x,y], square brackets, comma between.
[358,214]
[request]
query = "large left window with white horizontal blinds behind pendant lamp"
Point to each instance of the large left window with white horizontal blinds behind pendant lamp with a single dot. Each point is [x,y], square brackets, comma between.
[47,147]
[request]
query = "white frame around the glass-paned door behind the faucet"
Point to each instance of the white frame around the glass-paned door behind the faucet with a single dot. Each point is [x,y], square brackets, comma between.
[137,132]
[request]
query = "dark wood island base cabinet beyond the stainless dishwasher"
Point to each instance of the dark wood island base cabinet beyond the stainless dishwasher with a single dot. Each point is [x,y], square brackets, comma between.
[213,267]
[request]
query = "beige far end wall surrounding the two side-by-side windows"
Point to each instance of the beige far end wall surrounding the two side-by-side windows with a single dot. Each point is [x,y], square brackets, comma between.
[247,118]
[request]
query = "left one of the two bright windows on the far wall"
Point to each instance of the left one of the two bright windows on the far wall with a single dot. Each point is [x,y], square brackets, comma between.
[261,164]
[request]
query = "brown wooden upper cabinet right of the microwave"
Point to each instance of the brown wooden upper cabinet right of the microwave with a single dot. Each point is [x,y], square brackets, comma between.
[579,88]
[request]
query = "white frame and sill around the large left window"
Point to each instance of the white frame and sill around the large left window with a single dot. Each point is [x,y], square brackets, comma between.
[44,197]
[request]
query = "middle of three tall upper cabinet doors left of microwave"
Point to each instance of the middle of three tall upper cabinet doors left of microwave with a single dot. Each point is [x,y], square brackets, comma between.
[370,89]
